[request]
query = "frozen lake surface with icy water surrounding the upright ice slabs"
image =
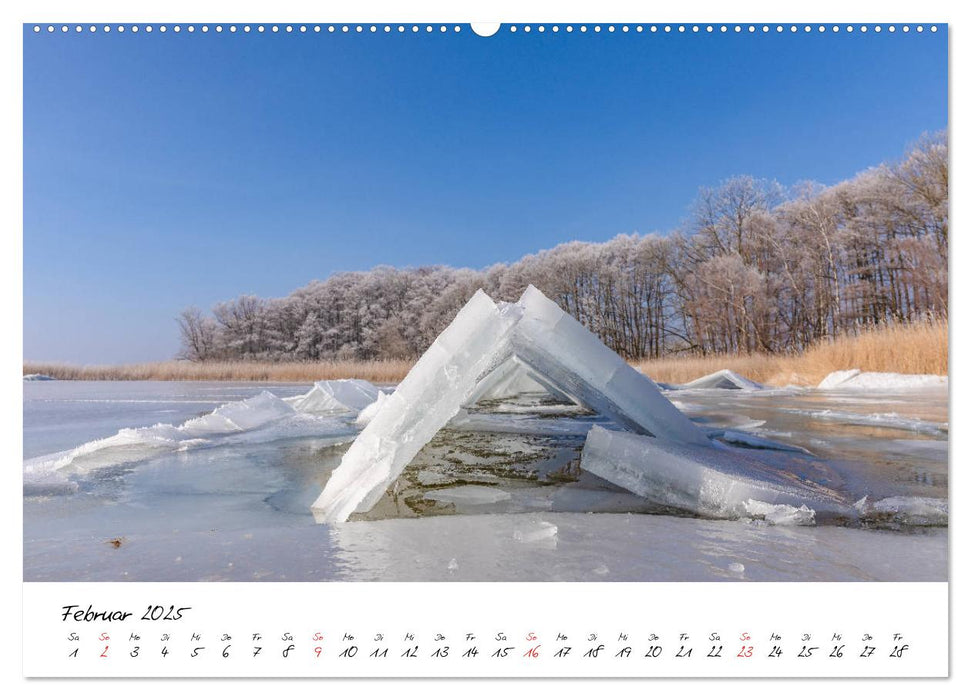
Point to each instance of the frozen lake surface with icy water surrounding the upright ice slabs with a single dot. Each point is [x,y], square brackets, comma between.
[478,503]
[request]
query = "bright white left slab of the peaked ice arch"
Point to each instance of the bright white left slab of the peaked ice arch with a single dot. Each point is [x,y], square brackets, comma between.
[433,392]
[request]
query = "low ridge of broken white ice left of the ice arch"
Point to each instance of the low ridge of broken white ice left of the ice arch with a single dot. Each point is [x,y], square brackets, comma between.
[261,418]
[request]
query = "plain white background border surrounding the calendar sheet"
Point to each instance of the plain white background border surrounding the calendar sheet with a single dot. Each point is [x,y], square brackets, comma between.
[498,10]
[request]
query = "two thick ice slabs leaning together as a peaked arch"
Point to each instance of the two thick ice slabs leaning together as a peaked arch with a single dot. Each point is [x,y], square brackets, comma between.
[483,344]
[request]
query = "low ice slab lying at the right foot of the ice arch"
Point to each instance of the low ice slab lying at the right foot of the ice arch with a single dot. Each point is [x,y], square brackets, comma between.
[719,483]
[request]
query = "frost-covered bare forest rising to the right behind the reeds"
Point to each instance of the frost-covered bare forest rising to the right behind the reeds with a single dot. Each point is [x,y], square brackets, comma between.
[755,268]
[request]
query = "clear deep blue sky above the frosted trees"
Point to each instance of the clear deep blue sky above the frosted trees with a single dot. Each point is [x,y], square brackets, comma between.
[165,170]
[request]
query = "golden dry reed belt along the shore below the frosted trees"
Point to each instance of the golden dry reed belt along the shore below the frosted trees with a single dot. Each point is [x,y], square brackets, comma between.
[916,348]
